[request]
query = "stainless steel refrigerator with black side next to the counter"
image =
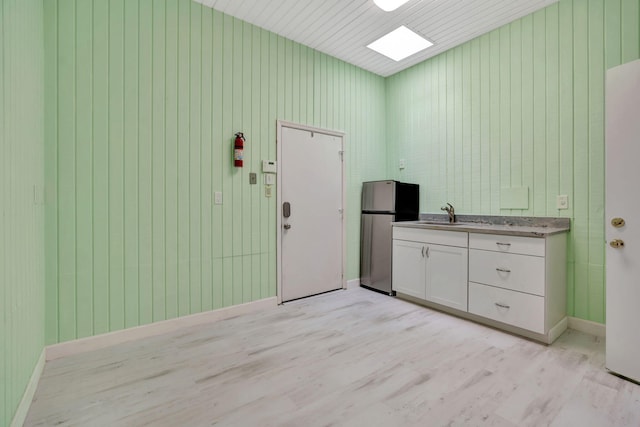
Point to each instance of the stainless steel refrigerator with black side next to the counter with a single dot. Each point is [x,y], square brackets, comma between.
[383,202]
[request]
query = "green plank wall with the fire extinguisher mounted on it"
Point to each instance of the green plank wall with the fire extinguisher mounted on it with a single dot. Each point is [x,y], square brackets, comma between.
[142,101]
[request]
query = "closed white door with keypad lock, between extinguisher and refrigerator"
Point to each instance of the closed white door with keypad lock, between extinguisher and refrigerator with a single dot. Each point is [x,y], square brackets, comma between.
[310,197]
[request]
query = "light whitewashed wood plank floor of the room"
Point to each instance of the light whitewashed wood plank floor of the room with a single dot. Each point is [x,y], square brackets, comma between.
[347,358]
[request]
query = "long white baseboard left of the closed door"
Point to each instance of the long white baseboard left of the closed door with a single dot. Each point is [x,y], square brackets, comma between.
[82,345]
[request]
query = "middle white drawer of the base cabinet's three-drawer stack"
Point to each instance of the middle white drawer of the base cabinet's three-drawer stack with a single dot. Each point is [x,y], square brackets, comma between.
[522,273]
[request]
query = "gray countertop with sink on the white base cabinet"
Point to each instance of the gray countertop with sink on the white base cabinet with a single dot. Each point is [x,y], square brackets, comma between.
[507,225]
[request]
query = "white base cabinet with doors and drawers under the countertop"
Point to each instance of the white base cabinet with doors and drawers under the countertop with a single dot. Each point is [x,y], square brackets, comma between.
[511,282]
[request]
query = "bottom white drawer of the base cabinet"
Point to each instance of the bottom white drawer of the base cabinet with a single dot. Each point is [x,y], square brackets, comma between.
[514,308]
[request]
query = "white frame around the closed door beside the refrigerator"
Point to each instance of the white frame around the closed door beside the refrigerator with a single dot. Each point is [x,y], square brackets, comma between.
[279,125]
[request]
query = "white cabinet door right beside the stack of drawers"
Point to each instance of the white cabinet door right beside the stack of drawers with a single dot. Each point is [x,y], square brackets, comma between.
[447,276]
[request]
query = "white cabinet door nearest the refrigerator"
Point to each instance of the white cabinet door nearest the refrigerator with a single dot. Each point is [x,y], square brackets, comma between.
[409,268]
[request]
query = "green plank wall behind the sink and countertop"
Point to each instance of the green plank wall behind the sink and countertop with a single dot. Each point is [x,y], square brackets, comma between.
[520,106]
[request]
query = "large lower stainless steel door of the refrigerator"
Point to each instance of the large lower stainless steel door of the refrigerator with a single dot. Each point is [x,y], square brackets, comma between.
[375,258]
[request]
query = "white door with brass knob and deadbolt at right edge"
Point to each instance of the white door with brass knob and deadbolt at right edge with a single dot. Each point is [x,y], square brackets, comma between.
[622,201]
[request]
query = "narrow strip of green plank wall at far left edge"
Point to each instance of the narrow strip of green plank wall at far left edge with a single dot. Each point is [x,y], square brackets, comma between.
[21,198]
